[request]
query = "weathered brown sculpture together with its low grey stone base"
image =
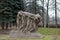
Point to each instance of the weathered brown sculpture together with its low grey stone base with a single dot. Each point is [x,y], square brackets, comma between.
[27,25]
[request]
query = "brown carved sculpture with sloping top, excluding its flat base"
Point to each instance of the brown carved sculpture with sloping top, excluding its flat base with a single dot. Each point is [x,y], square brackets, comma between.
[27,22]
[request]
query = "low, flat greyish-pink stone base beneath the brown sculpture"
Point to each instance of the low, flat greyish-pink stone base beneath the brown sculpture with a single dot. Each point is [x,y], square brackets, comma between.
[17,34]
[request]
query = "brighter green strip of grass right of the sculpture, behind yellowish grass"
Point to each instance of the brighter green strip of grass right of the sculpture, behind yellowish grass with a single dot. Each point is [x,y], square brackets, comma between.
[49,30]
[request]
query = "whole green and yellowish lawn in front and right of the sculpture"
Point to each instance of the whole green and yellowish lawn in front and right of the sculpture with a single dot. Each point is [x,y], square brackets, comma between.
[49,34]
